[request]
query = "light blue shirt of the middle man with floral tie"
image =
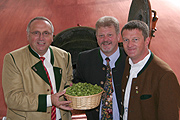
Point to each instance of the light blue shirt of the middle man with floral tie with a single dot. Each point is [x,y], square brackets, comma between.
[113,58]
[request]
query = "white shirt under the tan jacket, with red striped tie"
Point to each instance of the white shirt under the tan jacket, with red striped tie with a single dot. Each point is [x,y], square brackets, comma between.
[50,70]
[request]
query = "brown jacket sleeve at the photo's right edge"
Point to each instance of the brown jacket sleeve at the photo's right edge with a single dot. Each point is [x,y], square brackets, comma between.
[168,97]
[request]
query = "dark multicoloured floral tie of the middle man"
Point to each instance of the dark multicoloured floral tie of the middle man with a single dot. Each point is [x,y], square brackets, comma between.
[106,112]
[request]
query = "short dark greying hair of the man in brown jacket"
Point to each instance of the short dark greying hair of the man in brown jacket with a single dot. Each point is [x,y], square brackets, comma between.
[137,24]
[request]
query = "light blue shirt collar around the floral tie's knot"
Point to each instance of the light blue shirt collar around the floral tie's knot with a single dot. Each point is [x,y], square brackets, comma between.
[113,58]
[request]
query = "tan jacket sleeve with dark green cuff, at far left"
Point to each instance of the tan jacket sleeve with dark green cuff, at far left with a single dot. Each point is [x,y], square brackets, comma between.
[14,92]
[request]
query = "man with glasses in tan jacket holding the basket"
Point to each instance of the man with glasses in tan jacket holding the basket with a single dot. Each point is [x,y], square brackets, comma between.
[35,76]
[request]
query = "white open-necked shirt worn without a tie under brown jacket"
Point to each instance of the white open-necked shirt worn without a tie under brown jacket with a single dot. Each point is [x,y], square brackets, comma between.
[135,69]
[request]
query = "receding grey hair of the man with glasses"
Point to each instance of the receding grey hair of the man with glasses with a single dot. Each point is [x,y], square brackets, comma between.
[39,18]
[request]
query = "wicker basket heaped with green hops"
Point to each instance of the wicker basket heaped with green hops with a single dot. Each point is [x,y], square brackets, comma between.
[84,96]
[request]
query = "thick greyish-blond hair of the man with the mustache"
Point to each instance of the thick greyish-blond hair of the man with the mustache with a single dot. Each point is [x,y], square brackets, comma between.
[108,21]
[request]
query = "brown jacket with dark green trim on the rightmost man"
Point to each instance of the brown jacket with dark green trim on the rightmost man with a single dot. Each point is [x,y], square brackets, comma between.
[154,93]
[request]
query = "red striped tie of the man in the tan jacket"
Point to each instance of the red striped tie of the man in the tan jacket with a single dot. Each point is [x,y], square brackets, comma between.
[53,110]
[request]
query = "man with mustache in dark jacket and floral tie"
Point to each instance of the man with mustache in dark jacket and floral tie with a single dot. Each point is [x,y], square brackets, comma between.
[91,67]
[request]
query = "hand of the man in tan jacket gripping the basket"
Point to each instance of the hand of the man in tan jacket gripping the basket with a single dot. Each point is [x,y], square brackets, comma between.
[60,104]
